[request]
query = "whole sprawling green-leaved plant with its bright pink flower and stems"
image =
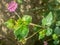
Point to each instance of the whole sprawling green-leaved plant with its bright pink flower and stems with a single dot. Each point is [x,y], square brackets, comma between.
[20,26]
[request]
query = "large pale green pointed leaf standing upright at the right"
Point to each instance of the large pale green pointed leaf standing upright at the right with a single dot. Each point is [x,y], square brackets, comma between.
[47,20]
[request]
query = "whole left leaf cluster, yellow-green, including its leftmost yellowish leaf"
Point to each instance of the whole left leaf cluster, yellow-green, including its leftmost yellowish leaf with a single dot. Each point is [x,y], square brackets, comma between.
[20,26]
